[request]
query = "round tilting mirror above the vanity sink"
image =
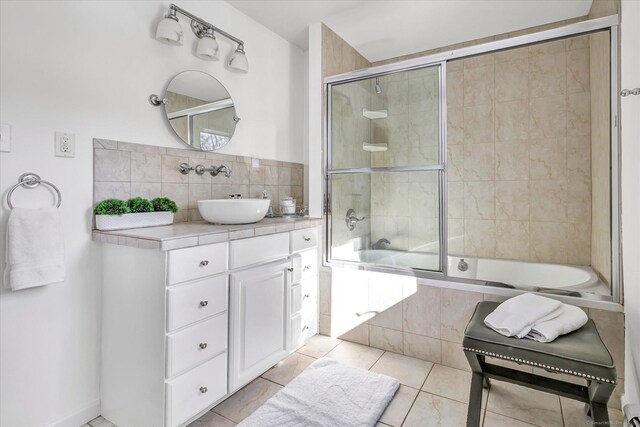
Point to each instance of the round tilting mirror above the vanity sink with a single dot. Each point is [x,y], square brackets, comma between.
[200,110]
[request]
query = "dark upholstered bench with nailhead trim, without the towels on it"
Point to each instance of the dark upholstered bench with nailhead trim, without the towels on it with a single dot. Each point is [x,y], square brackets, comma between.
[580,353]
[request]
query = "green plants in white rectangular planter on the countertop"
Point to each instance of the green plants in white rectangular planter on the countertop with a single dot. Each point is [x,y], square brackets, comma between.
[116,214]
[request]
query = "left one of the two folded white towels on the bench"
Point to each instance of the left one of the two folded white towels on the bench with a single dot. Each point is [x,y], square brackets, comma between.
[516,316]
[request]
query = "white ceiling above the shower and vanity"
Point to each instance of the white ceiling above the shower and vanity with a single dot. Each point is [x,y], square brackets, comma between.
[382,29]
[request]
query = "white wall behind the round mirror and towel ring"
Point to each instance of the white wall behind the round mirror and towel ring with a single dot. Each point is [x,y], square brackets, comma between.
[88,67]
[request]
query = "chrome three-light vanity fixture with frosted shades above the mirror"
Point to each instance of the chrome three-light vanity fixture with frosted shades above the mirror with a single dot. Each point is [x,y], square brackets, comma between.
[170,32]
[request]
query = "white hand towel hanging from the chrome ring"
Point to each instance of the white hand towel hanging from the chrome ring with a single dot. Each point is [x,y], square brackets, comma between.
[35,248]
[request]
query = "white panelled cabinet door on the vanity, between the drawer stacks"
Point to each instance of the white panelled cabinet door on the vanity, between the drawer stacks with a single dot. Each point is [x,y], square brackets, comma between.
[259,313]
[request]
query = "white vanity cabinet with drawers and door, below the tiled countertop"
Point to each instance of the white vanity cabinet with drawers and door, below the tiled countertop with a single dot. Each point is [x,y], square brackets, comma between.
[184,329]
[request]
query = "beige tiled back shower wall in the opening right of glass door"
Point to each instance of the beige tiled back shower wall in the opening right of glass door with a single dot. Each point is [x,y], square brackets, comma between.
[519,153]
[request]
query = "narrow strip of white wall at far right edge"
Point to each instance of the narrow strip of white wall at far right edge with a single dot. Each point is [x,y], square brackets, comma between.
[630,111]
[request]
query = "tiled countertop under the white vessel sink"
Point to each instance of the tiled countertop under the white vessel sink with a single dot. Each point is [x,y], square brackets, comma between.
[186,234]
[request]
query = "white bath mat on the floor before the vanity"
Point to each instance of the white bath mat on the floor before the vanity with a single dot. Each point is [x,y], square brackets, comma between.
[330,394]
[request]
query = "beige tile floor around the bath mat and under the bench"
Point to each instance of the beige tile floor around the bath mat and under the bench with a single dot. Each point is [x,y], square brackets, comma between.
[430,394]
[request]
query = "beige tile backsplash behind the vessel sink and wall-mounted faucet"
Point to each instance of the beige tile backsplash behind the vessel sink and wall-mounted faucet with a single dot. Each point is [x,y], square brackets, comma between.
[125,170]
